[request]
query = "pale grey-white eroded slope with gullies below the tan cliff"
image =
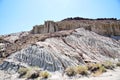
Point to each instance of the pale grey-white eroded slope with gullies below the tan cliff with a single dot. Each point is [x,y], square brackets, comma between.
[58,52]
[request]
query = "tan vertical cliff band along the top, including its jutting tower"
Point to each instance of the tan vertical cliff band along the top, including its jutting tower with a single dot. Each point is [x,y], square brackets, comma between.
[103,27]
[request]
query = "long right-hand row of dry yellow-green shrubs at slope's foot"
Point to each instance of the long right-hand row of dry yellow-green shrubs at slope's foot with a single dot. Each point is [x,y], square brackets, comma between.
[94,69]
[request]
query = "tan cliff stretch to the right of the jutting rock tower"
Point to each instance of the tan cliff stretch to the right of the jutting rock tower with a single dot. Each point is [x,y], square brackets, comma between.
[102,27]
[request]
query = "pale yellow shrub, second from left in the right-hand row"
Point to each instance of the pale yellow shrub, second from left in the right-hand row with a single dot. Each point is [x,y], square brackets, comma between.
[83,70]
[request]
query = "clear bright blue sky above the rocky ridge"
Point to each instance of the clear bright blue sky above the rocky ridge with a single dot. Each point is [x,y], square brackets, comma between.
[22,15]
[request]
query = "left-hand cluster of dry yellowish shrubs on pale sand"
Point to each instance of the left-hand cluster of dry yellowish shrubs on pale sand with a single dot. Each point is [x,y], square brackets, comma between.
[32,72]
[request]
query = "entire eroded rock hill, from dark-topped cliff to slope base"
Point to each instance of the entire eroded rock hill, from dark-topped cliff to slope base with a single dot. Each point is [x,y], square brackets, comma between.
[56,45]
